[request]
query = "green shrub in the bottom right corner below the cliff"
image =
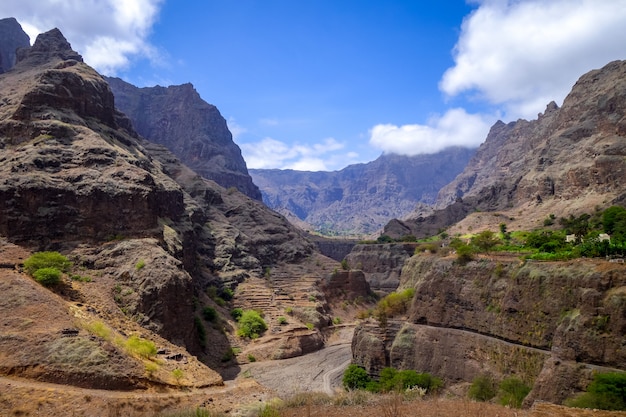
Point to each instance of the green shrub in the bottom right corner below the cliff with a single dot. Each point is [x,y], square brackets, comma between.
[607,391]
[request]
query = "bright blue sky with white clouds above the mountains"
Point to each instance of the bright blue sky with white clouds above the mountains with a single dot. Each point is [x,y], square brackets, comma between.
[320,84]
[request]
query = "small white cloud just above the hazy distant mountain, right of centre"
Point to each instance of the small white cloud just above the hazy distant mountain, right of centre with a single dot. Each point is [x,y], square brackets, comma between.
[455,128]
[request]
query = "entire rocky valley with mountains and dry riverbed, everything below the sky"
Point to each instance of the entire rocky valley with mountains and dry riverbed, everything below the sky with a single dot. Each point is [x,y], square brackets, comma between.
[142,274]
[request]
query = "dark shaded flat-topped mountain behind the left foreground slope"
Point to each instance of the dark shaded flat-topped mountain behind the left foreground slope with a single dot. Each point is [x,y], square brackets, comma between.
[194,130]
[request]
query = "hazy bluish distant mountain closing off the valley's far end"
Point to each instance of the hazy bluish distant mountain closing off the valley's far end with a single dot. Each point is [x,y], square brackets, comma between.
[361,198]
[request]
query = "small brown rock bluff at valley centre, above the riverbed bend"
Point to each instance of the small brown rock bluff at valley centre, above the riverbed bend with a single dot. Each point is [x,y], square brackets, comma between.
[381,263]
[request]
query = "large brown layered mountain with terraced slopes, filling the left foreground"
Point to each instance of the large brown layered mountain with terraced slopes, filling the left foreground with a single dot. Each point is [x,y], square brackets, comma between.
[153,244]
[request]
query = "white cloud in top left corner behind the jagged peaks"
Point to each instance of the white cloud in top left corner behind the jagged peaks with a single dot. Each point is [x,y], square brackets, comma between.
[107,33]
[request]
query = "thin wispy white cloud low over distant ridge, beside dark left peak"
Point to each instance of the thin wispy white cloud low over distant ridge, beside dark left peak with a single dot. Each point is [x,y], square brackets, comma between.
[272,153]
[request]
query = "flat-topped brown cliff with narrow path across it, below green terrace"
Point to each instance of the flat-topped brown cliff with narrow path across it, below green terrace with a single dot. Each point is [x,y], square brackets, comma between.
[550,324]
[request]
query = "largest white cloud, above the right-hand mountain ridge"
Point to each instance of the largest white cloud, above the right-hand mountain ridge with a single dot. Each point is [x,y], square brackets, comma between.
[524,54]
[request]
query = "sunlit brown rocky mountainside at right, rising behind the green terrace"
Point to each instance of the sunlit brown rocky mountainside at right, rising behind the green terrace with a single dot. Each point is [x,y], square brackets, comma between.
[568,160]
